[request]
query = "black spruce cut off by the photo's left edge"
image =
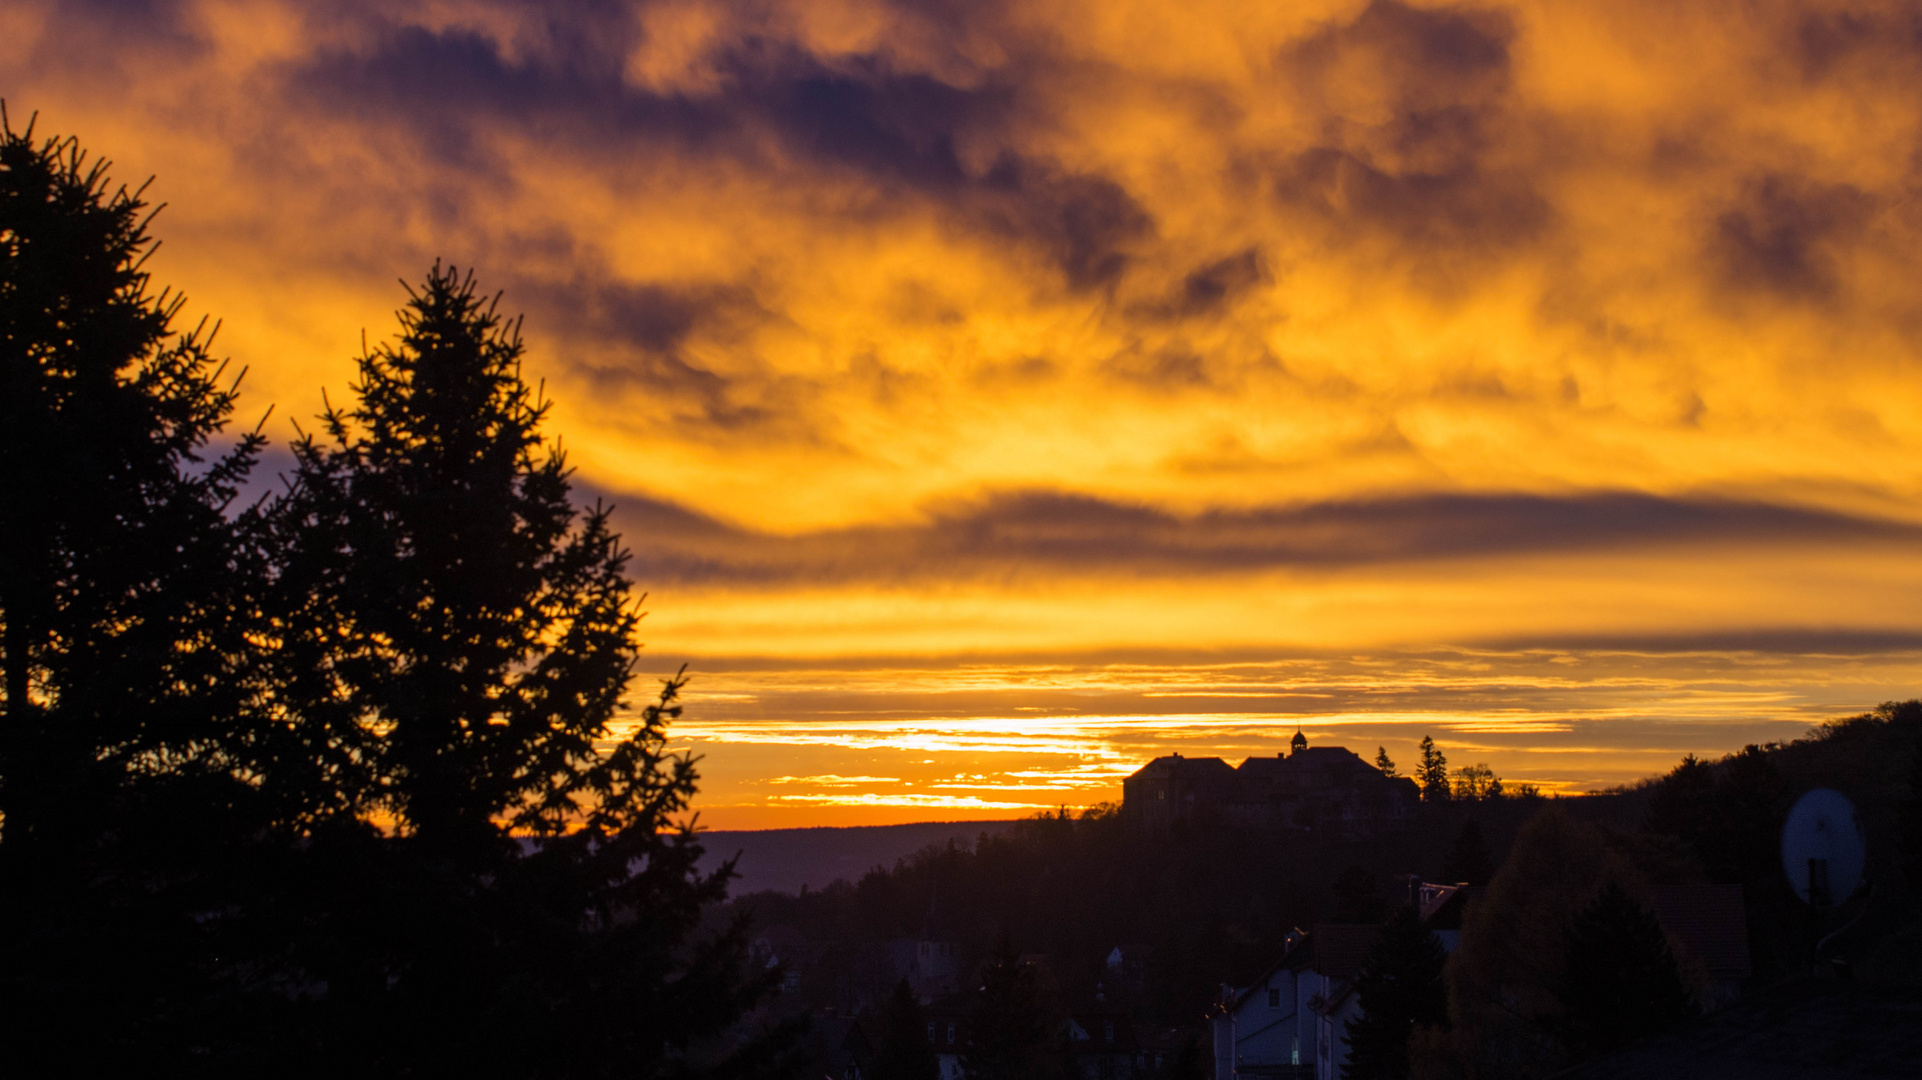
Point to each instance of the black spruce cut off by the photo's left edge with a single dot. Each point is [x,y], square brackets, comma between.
[124,633]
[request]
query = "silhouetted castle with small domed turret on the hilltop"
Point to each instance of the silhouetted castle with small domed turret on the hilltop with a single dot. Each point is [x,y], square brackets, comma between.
[1327,791]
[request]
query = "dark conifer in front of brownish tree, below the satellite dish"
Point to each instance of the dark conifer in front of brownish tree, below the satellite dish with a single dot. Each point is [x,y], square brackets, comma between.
[1619,983]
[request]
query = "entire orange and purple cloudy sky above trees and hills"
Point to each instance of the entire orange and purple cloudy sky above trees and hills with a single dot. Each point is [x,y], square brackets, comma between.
[1000,395]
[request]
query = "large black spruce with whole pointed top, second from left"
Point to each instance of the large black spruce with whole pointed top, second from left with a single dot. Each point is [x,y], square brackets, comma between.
[458,643]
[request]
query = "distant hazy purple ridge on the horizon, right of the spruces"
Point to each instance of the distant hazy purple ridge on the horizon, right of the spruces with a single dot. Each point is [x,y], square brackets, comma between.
[791,860]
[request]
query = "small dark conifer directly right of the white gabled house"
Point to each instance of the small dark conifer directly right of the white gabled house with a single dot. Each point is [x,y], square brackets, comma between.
[1400,987]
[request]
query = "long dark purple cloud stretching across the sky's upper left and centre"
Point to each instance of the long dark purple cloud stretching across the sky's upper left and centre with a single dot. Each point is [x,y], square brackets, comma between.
[858,116]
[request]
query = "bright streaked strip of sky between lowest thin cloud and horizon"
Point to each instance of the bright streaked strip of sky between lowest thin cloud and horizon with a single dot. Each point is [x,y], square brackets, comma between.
[997,741]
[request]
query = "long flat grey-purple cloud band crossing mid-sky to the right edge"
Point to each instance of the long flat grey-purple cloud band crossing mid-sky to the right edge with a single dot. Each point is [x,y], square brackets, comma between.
[1052,535]
